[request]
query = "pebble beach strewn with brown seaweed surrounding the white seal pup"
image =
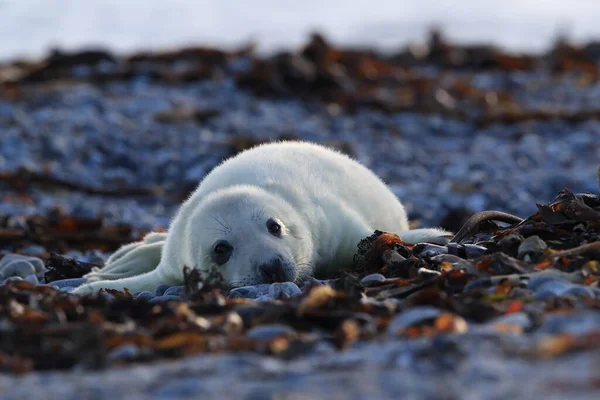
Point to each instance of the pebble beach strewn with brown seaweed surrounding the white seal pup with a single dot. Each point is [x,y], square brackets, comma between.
[97,150]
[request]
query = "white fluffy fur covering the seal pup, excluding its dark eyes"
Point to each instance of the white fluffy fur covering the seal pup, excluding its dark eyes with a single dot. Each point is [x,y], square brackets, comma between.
[325,202]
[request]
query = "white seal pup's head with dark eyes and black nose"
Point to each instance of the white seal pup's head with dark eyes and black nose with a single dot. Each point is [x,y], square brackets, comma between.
[250,235]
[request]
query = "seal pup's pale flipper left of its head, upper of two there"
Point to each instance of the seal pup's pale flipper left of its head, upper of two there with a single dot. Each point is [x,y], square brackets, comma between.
[131,260]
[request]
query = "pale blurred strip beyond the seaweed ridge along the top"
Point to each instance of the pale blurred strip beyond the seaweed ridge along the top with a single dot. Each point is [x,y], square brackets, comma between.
[29,28]
